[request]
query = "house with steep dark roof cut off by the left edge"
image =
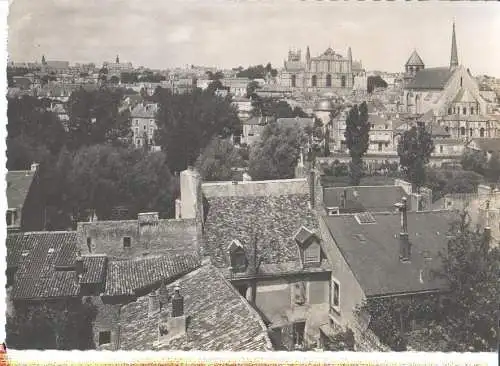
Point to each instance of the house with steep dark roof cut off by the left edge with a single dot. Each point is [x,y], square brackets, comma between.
[25,210]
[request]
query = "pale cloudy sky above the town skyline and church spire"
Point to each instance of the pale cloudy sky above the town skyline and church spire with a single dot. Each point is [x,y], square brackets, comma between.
[229,33]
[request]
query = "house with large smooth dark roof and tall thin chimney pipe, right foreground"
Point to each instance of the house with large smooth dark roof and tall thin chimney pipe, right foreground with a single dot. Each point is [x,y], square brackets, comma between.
[383,255]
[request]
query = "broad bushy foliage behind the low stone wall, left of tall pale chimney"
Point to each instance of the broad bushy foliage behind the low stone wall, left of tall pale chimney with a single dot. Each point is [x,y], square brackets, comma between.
[102,177]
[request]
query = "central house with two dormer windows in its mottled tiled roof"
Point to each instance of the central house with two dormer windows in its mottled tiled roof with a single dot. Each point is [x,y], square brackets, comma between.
[263,236]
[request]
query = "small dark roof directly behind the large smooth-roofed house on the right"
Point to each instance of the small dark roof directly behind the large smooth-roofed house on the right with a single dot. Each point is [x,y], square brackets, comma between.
[373,199]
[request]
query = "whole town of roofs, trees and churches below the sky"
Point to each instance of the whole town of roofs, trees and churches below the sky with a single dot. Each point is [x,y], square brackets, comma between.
[313,205]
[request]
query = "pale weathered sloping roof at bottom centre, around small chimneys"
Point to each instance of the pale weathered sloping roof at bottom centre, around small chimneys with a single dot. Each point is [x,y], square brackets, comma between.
[219,318]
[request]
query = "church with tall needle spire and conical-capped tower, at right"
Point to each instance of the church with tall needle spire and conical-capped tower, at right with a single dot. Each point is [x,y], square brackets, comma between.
[451,94]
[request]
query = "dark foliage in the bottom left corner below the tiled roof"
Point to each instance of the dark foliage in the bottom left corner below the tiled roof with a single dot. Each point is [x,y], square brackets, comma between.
[43,326]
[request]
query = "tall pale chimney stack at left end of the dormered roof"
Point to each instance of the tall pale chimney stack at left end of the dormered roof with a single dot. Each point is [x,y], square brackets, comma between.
[190,182]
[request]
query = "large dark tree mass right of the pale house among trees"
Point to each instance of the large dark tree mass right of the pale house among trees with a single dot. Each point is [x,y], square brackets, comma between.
[188,122]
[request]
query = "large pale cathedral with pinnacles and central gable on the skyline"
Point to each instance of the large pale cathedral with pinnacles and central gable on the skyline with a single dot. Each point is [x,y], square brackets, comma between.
[329,71]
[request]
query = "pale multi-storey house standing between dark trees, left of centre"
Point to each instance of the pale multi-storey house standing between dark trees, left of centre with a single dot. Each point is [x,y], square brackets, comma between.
[143,124]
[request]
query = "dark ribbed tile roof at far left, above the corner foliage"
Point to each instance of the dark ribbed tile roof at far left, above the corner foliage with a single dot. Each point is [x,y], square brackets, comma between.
[36,256]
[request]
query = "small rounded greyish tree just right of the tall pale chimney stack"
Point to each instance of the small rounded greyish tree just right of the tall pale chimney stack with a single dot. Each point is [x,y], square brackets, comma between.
[217,160]
